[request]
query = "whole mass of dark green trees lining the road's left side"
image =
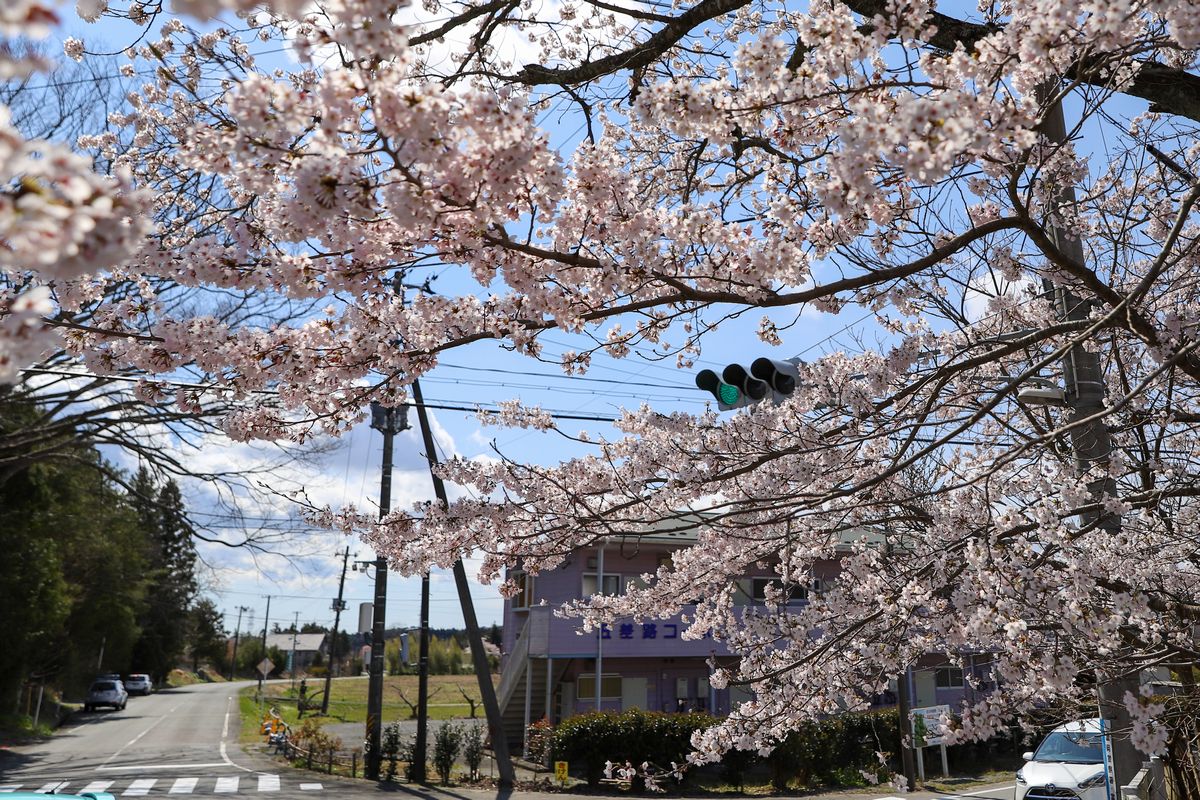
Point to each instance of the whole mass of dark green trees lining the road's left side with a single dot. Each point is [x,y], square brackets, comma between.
[99,568]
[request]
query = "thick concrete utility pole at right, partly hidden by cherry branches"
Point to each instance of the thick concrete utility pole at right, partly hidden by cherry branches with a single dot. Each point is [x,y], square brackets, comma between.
[1093,447]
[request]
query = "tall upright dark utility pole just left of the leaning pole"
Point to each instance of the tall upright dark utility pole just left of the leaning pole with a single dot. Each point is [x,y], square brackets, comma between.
[389,423]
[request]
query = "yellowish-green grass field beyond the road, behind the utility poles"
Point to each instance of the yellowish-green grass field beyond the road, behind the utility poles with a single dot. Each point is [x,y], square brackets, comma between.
[349,700]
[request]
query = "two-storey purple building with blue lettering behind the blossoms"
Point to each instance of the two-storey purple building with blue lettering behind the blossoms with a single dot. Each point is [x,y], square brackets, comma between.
[550,667]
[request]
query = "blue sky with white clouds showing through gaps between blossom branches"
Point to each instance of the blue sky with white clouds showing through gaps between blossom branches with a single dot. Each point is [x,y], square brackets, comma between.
[303,579]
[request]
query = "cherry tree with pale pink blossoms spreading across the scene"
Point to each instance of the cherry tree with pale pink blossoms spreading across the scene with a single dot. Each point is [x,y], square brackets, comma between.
[784,160]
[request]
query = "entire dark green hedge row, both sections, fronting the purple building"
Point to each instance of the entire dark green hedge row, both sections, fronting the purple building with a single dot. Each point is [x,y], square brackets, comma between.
[827,753]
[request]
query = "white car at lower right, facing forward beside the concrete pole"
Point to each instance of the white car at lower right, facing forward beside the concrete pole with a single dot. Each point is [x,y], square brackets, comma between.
[1067,766]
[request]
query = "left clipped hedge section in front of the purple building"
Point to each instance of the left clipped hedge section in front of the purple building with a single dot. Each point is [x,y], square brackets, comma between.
[634,736]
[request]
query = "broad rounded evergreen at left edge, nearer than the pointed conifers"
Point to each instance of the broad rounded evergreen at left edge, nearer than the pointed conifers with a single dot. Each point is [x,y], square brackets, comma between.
[71,579]
